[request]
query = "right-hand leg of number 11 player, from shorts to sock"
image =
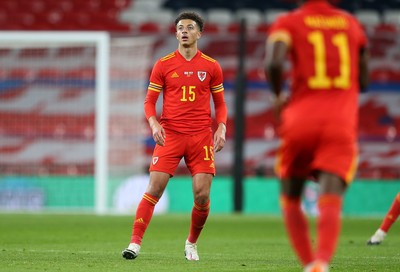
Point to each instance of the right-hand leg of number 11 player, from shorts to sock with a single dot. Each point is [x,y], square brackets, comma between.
[335,162]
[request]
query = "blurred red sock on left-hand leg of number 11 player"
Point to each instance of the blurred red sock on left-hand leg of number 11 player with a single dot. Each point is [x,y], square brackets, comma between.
[297,228]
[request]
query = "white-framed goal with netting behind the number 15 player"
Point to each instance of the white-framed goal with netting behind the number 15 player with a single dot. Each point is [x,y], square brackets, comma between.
[71,118]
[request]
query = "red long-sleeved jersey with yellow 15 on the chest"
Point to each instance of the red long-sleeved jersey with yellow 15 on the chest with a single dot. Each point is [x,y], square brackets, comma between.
[187,87]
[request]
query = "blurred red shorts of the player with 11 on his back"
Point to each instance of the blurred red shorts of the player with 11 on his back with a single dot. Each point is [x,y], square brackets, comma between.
[307,149]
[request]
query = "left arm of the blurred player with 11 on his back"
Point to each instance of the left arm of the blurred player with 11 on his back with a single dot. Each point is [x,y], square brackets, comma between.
[277,47]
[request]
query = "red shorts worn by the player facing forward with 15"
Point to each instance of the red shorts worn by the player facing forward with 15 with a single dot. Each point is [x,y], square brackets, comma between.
[197,150]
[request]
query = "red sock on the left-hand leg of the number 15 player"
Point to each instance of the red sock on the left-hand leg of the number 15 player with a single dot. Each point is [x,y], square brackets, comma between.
[143,216]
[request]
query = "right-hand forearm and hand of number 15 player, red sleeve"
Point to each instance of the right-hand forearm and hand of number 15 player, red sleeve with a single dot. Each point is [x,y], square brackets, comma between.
[221,116]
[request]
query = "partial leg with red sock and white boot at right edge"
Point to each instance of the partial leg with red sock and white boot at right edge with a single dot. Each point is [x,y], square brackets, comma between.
[387,222]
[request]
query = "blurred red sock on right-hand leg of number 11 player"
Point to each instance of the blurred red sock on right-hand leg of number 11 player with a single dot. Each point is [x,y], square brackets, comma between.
[328,226]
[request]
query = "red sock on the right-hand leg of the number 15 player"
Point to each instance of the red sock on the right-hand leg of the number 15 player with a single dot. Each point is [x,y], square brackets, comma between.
[199,217]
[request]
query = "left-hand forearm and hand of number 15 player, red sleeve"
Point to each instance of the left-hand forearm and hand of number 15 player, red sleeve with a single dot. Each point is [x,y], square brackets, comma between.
[150,102]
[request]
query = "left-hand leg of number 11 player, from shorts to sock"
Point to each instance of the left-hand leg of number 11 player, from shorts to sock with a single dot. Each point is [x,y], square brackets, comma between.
[293,166]
